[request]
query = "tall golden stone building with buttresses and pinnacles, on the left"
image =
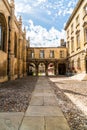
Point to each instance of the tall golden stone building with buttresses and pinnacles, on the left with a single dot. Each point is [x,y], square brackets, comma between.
[12,43]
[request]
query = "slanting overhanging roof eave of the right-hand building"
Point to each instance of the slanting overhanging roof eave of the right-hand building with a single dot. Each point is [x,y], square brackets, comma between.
[73,13]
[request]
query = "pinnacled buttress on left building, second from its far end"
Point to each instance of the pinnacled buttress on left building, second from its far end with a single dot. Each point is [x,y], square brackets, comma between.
[20,59]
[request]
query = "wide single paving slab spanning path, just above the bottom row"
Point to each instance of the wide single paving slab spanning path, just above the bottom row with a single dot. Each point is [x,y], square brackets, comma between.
[43,111]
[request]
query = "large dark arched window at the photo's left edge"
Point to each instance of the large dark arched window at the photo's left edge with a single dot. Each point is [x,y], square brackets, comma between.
[3,32]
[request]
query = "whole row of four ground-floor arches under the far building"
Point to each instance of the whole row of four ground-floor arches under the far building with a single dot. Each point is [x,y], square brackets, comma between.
[46,68]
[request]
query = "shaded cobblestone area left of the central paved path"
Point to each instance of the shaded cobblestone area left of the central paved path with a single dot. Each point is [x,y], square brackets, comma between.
[15,95]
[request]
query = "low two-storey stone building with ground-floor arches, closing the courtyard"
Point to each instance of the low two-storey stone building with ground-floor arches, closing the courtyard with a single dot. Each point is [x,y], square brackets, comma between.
[47,60]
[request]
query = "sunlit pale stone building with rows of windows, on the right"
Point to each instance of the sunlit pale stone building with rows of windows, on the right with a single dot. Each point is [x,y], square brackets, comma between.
[76,29]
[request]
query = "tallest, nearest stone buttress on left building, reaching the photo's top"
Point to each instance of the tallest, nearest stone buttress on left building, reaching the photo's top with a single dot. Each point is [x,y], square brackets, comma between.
[11,42]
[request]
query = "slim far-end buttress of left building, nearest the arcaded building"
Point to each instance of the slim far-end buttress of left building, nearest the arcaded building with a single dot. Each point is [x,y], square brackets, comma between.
[24,53]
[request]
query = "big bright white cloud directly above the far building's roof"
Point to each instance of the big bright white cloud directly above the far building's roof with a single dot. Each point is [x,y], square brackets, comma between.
[39,36]
